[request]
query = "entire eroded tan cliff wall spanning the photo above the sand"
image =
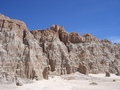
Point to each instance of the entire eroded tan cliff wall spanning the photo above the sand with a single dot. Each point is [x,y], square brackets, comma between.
[40,53]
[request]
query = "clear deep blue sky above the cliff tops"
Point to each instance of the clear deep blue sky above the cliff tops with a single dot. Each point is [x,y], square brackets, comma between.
[100,18]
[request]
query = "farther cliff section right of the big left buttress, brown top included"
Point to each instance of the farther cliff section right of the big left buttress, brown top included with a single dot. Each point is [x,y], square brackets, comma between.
[70,52]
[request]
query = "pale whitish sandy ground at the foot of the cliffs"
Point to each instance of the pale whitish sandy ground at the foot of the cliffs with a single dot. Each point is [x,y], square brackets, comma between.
[75,81]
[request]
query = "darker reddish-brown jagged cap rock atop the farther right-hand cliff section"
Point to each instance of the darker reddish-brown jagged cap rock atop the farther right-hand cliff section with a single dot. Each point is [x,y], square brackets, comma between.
[56,31]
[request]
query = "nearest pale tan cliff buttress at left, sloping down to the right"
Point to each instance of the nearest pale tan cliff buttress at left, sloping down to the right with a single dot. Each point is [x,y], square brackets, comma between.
[20,53]
